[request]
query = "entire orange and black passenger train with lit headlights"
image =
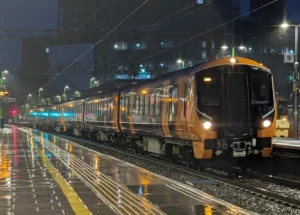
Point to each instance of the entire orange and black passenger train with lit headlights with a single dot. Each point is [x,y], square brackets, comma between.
[220,108]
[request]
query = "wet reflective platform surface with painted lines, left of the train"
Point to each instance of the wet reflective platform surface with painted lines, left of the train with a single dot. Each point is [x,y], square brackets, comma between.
[44,174]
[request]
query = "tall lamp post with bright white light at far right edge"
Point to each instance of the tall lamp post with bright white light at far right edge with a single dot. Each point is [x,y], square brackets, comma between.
[296,77]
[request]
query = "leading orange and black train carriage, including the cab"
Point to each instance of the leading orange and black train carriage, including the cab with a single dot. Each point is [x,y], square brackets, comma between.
[219,107]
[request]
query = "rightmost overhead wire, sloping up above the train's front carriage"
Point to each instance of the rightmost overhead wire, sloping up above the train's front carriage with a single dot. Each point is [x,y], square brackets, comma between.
[205,32]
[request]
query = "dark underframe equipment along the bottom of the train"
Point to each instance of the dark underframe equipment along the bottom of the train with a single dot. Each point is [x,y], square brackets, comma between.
[226,152]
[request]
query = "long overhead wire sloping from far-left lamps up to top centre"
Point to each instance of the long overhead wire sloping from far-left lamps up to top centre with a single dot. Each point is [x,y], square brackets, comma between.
[89,49]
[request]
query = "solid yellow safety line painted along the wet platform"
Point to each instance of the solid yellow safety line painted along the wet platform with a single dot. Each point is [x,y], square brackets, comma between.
[76,203]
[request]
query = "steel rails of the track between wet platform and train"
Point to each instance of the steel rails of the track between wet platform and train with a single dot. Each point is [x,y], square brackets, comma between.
[241,187]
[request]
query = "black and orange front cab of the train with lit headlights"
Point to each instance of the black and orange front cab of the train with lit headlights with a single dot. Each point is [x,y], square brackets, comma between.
[235,106]
